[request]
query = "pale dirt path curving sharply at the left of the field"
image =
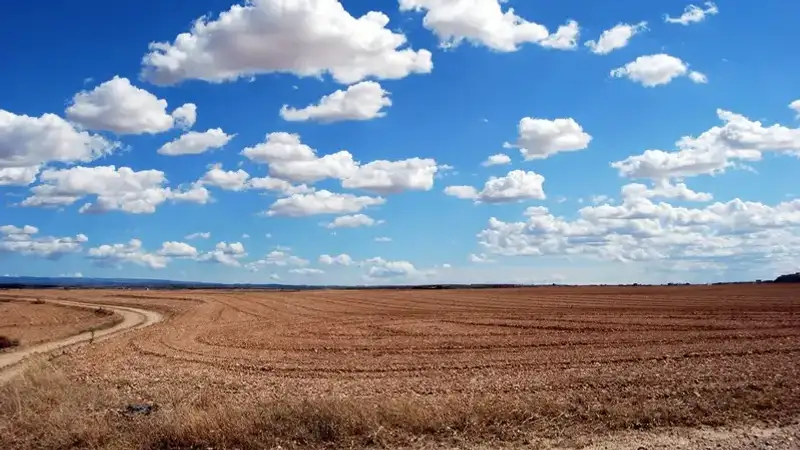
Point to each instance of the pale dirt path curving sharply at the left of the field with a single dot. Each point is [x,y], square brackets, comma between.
[132,318]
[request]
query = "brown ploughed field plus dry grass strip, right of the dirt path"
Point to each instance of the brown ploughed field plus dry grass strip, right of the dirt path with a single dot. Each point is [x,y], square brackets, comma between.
[551,367]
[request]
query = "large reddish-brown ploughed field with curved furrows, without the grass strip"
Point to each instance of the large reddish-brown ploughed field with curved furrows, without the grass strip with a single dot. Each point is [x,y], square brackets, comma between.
[531,360]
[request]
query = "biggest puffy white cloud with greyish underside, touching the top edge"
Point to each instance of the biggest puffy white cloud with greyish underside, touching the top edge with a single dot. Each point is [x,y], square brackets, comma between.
[306,38]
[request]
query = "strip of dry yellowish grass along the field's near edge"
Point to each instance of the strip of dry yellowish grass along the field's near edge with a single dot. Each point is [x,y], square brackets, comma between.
[46,409]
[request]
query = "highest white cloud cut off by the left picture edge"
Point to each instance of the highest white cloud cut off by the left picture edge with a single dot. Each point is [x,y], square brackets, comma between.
[27,143]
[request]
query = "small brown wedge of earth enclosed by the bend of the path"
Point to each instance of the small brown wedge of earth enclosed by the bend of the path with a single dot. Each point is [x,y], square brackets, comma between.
[33,323]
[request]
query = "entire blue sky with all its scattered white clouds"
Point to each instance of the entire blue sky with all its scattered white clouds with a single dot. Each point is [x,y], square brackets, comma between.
[663,150]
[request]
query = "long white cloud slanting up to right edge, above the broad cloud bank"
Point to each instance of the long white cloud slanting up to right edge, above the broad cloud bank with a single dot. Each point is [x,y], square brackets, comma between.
[713,151]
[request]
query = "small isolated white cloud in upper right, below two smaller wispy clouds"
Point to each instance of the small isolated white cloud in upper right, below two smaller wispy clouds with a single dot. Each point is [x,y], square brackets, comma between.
[657,70]
